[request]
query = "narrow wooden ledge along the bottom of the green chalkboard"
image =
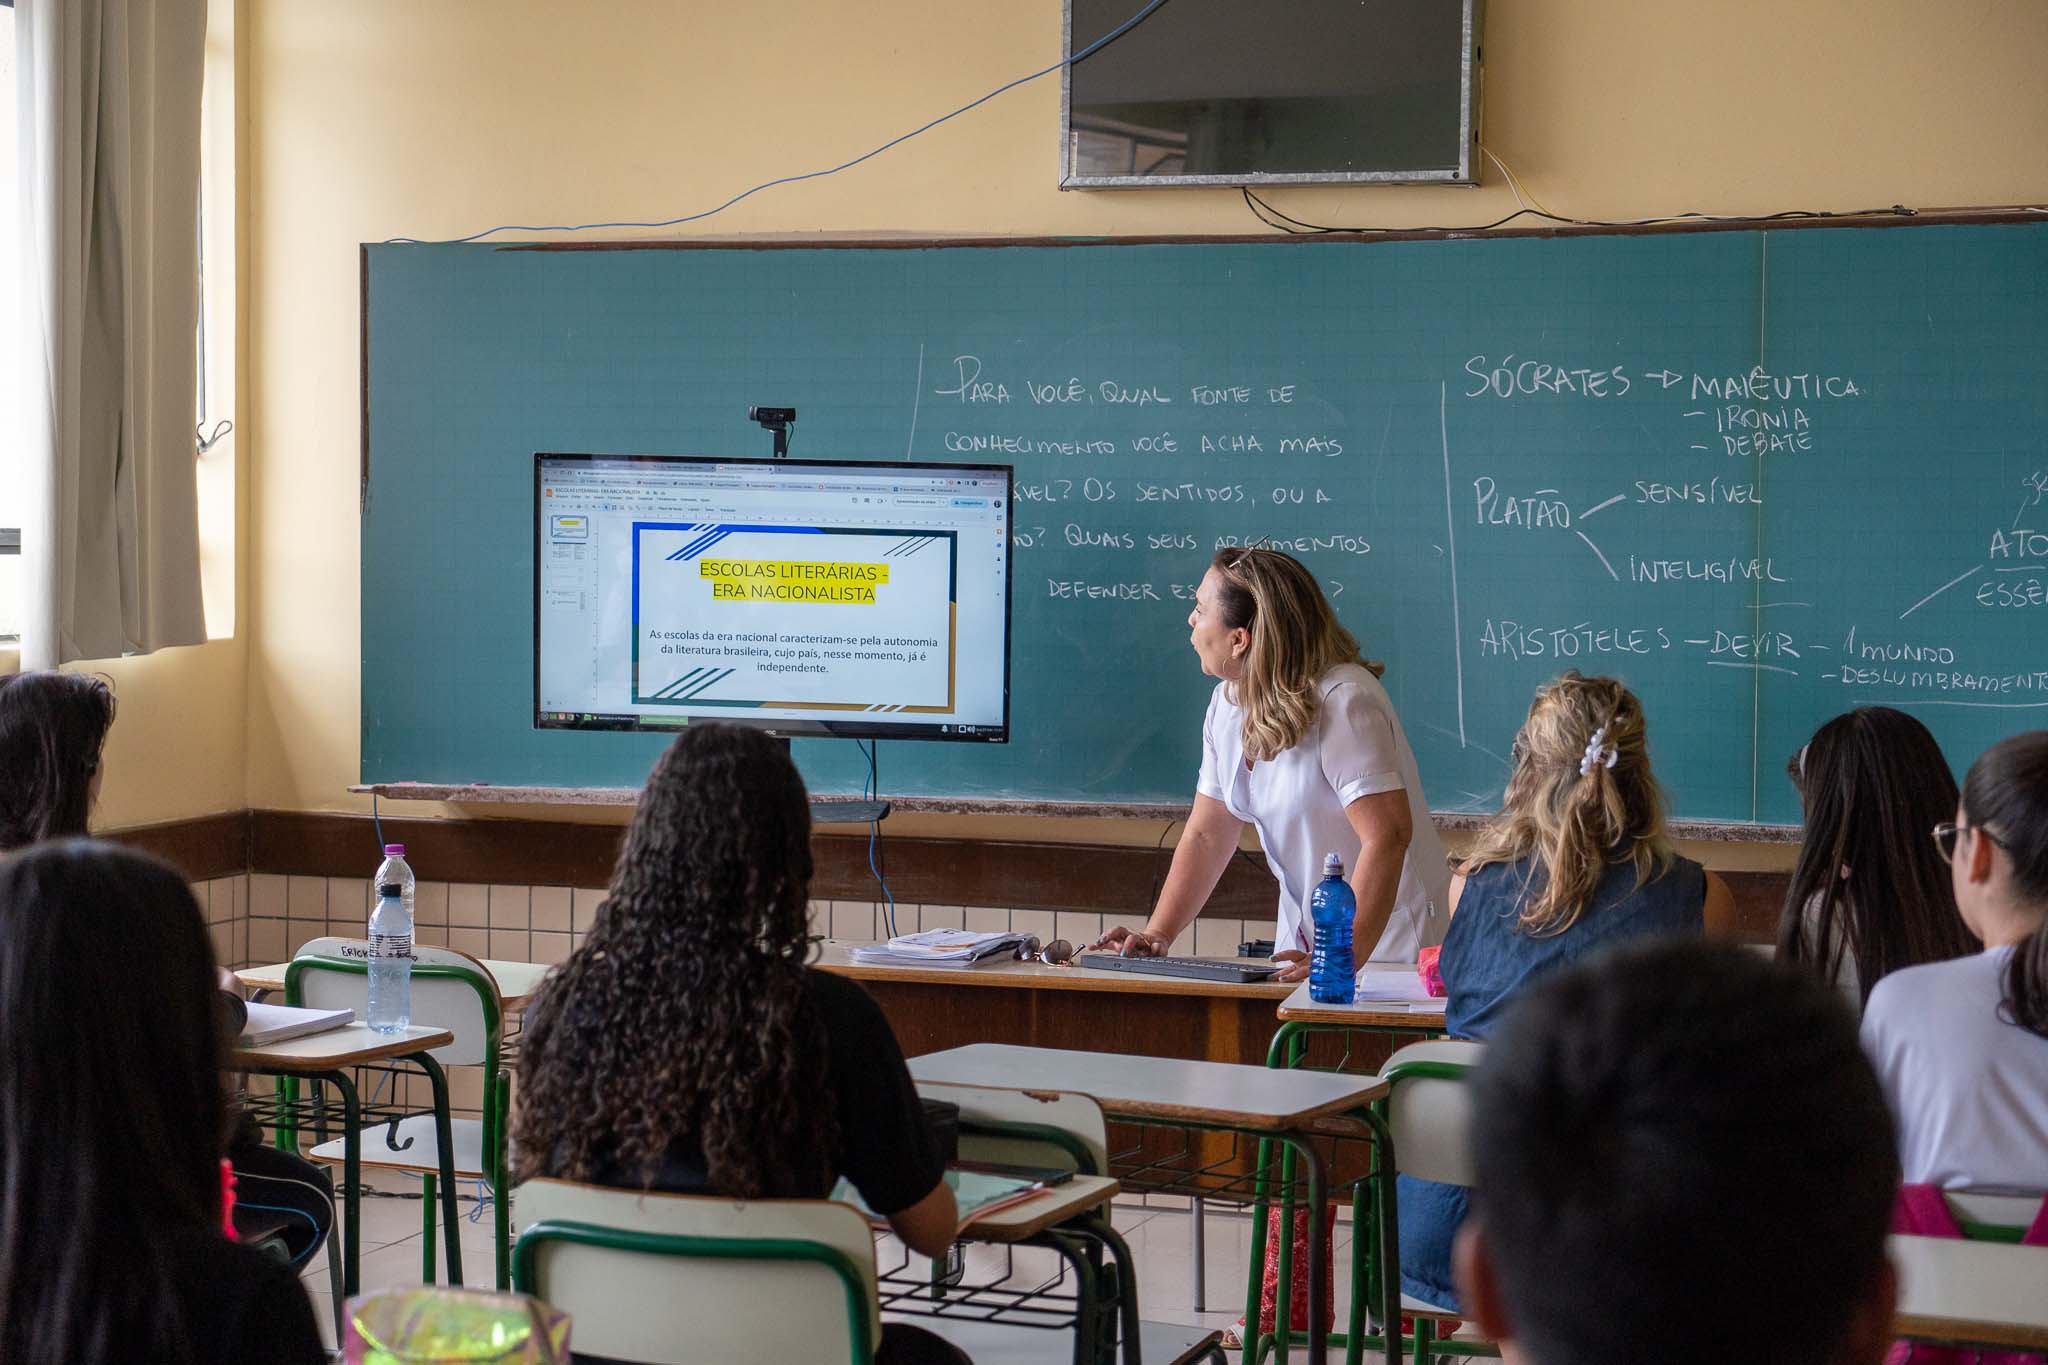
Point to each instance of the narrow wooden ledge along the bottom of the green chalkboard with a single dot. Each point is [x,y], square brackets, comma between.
[480,795]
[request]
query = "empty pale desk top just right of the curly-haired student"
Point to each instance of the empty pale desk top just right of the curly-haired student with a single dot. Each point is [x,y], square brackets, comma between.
[1150,1088]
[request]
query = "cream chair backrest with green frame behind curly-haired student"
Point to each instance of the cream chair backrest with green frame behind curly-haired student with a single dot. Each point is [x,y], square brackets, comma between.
[667,1280]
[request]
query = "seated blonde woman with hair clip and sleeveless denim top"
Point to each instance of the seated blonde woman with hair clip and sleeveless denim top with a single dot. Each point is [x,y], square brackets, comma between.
[1576,861]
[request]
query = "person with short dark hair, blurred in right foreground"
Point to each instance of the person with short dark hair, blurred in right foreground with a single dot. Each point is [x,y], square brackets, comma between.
[1668,1141]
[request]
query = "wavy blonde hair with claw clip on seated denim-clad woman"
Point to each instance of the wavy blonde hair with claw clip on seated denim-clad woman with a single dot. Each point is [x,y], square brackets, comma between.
[1582,797]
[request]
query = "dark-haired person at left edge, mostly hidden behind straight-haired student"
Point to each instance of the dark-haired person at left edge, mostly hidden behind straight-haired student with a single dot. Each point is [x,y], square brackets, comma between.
[52,738]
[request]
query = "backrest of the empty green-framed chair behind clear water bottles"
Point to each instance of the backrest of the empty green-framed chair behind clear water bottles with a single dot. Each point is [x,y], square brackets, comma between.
[450,992]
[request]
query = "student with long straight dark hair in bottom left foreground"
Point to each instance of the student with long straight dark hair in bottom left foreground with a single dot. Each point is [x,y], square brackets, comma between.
[112,1129]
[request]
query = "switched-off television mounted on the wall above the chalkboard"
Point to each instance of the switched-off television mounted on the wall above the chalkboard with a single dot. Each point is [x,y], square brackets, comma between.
[1273,93]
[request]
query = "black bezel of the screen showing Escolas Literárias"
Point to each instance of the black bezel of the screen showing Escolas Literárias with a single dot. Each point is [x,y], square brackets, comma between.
[781,728]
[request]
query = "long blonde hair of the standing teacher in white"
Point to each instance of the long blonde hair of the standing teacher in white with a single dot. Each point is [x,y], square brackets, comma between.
[1295,640]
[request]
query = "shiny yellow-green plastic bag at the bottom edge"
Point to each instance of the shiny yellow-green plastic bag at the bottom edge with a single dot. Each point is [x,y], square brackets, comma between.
[454,1327]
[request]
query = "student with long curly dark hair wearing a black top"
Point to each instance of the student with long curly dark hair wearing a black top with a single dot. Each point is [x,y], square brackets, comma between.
[744,1073]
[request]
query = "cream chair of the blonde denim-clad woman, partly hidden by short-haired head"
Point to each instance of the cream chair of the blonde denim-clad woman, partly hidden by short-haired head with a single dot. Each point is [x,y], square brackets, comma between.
[1428,1112]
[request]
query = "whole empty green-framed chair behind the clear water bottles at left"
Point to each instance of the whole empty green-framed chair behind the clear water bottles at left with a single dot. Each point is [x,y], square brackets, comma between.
[450,992]
